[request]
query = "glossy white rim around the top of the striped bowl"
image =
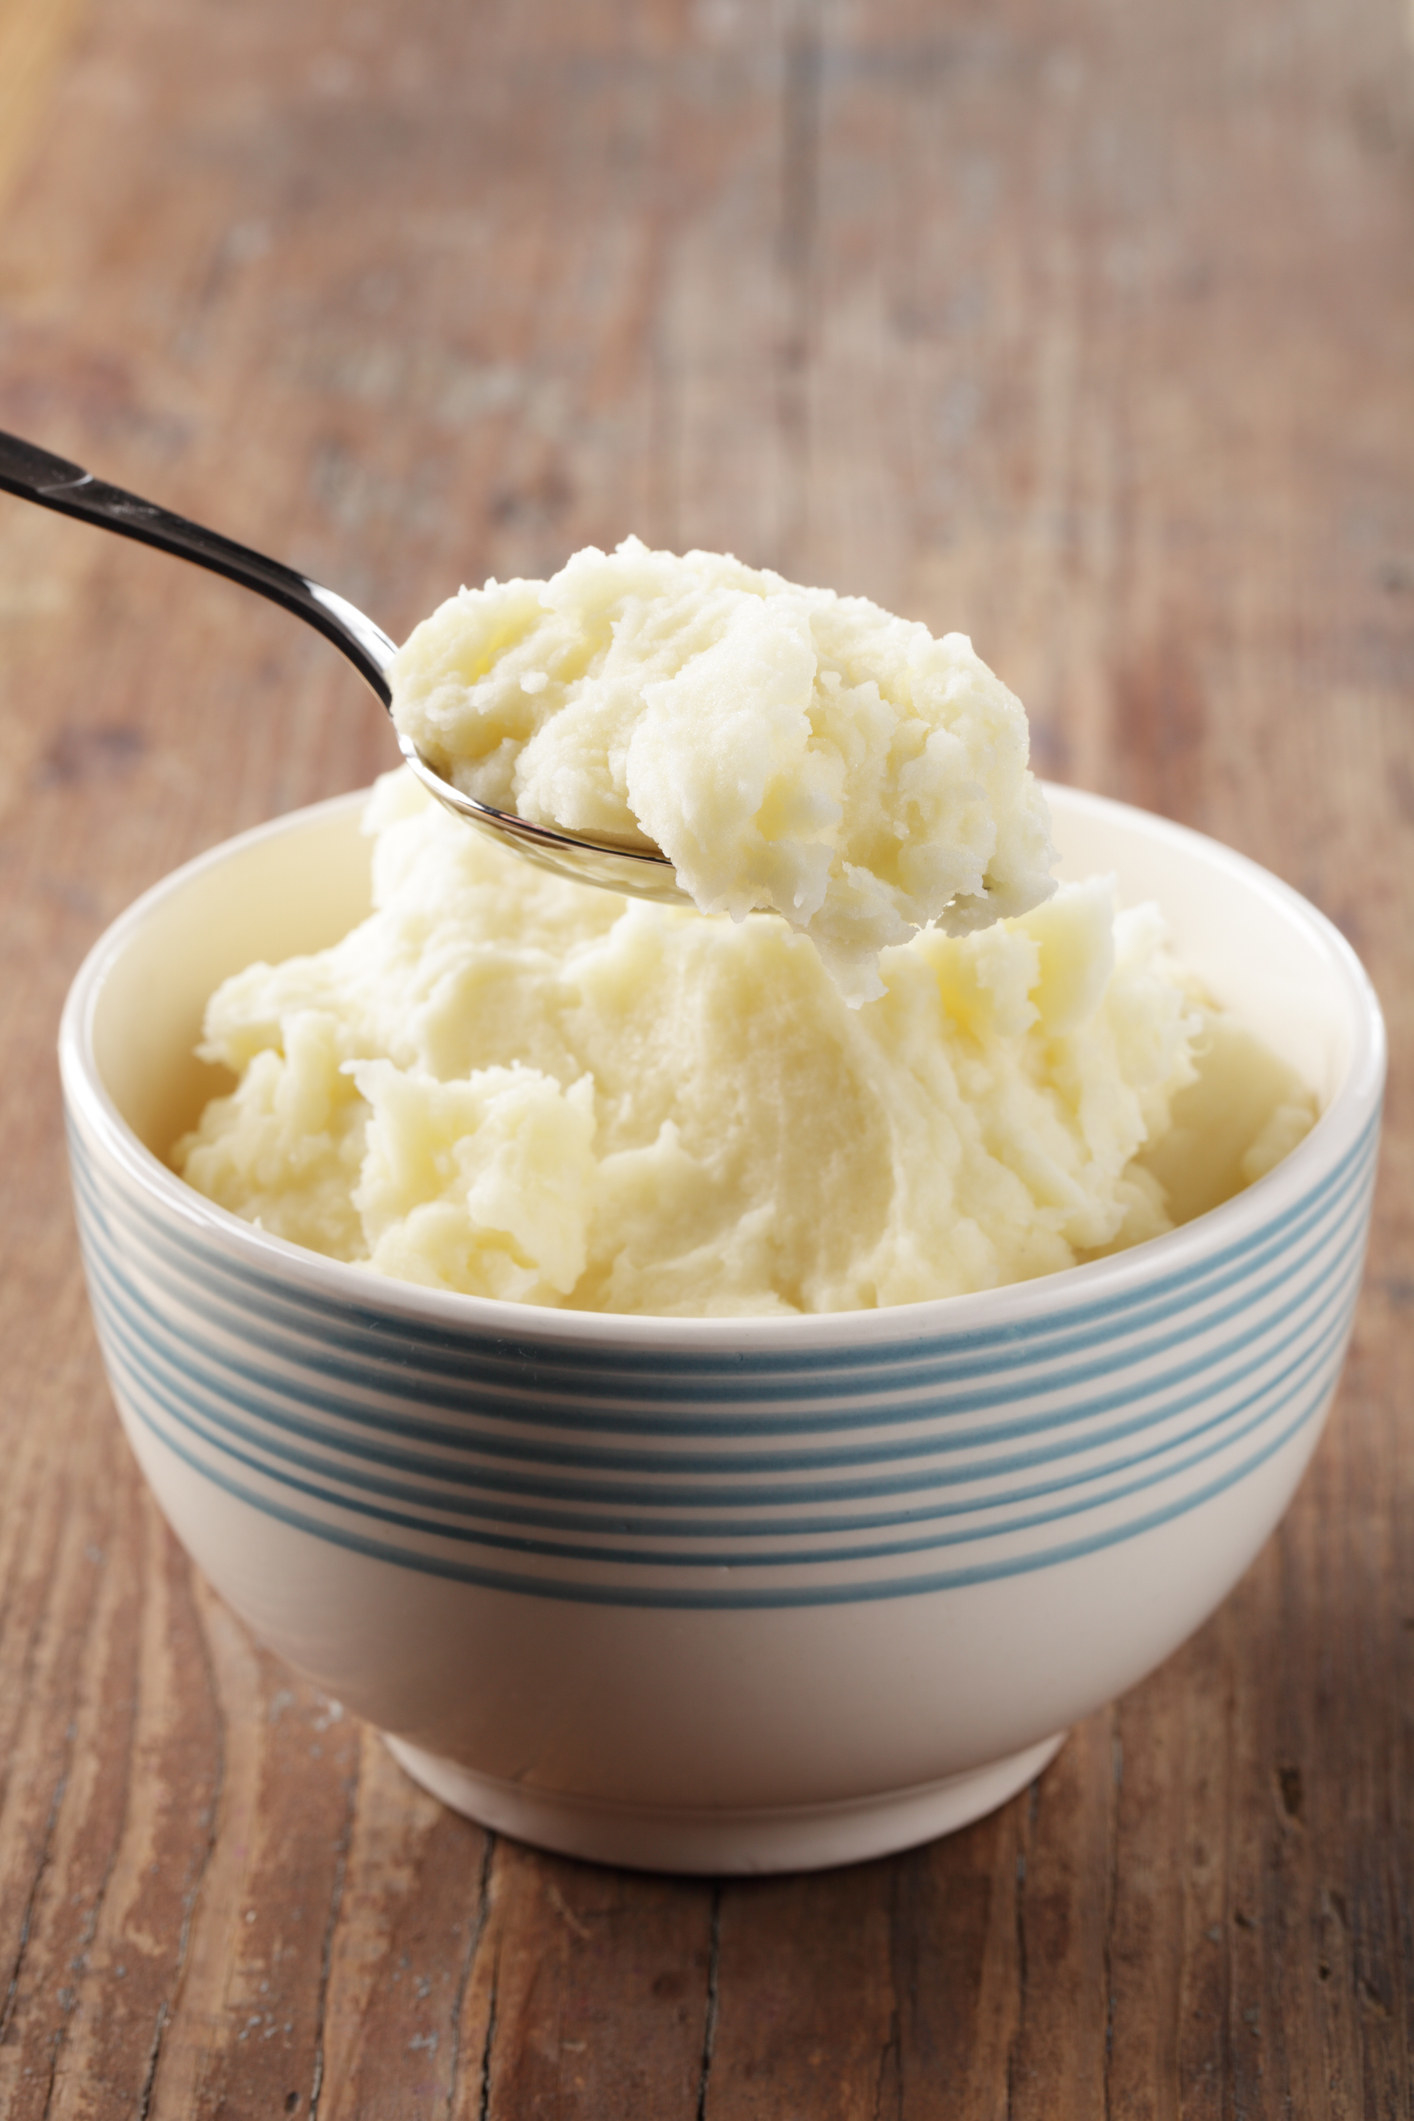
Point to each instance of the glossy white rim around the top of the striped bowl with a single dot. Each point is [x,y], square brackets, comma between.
[1014,1305]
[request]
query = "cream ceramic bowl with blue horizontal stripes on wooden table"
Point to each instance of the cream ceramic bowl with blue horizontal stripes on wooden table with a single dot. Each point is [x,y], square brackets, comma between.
[718,1594]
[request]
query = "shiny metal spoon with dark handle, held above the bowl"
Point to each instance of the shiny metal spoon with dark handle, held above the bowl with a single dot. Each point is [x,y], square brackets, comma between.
[56,485]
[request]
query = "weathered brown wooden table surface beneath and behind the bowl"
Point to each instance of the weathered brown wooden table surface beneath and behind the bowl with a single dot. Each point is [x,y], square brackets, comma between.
[1086,328]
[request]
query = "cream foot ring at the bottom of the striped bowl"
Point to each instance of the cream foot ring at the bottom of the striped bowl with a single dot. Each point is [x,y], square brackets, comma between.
[792,1838]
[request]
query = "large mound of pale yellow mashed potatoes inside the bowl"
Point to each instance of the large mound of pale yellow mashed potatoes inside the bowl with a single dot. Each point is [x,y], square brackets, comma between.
[527,1089]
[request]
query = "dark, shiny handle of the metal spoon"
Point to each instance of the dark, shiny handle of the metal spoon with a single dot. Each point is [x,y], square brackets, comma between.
[56,485]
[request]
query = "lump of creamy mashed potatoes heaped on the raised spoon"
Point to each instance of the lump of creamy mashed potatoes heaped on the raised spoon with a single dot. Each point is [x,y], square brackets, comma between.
[785,748]
